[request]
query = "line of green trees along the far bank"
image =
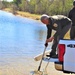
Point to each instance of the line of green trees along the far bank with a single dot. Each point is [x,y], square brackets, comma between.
[50,7]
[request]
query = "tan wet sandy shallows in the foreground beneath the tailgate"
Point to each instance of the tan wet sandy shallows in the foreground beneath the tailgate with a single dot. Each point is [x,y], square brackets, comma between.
[24,66]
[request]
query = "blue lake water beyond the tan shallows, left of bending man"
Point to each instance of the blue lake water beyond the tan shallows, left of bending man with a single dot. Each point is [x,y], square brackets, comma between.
[20,36]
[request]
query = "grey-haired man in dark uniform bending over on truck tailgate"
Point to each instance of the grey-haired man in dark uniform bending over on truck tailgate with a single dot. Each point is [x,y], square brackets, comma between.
[61,24]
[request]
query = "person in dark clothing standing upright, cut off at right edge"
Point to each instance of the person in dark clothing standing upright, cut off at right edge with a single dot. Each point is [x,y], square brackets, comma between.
[72,17]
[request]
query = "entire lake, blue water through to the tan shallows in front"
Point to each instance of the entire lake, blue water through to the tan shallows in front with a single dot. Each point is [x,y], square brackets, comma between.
[20,40]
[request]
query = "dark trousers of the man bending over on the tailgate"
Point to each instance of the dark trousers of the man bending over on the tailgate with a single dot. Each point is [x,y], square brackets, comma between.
[61,36]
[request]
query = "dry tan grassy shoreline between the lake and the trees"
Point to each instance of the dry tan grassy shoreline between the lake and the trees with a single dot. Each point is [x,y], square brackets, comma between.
[23,14]
